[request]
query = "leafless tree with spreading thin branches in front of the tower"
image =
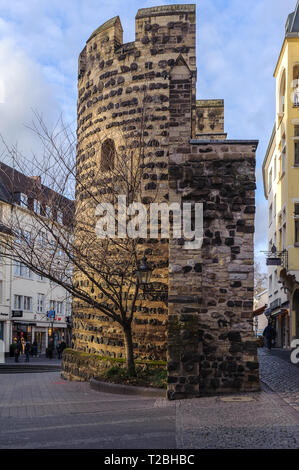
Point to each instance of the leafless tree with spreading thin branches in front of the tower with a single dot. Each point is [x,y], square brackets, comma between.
[60,240]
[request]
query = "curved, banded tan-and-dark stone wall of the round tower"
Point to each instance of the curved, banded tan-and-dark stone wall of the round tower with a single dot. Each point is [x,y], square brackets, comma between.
[115,80]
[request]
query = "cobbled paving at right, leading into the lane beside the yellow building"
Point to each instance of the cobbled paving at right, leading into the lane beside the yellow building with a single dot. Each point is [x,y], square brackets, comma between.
[268,419]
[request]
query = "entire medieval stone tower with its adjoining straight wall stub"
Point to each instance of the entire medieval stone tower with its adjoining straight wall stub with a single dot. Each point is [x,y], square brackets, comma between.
[203,325]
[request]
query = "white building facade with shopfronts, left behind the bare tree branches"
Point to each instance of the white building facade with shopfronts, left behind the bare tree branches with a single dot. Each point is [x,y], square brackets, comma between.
[32,308]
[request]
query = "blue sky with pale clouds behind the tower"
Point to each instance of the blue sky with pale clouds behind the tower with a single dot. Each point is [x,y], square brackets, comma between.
[238,44]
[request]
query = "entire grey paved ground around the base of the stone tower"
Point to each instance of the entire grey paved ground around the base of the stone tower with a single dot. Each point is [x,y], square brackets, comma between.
[44,411]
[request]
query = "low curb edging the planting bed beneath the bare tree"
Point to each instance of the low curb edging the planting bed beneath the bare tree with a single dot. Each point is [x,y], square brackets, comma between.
[108,387]
